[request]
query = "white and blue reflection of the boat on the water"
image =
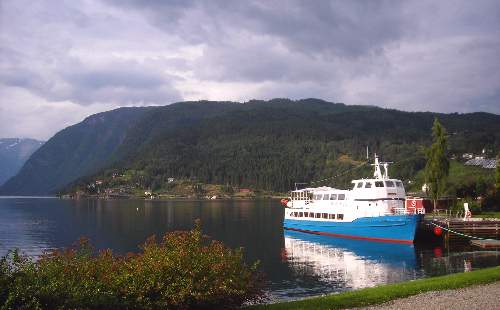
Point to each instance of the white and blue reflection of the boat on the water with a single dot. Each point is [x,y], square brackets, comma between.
[347,264]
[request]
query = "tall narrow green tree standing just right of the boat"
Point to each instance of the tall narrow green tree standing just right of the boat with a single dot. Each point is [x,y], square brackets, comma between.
[438,165]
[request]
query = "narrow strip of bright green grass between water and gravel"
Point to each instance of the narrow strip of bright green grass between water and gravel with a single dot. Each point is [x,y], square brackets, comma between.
[384,293]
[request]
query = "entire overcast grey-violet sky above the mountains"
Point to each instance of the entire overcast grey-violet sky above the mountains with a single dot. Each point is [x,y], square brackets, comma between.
[61,61]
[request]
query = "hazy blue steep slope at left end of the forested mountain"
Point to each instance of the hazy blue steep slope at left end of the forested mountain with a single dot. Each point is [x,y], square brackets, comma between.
[76,151]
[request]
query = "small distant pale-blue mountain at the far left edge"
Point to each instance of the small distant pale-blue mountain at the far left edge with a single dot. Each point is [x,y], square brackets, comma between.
[13,154]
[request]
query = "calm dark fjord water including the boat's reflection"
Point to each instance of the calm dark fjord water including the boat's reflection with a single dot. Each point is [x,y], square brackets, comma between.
[295,264]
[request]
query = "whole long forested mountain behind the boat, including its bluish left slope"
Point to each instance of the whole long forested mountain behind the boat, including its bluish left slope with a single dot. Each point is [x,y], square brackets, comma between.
[258,144]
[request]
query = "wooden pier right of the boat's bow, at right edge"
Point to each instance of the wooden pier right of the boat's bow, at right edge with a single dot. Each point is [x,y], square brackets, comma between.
[456,228]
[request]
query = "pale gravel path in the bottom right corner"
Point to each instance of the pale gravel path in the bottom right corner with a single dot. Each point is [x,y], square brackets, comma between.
[484,297]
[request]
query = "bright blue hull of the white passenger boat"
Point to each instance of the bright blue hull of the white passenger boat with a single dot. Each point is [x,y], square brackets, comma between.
[391,228]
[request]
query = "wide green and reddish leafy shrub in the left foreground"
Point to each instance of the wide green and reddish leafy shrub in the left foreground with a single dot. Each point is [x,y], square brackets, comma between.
[184,270]
